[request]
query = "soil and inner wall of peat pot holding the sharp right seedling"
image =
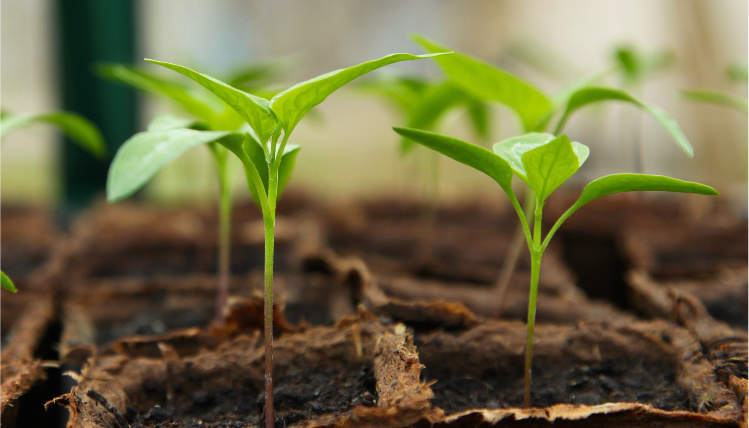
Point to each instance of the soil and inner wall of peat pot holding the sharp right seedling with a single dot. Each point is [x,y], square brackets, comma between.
[592,364]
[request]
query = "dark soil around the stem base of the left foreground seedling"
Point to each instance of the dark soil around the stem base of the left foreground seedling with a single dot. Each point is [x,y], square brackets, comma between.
[302,393]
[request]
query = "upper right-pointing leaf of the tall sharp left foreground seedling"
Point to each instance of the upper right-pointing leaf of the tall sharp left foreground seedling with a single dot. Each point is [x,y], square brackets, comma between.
[292,104]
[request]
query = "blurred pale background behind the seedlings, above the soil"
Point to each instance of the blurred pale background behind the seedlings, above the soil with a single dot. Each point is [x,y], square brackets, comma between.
[49,49]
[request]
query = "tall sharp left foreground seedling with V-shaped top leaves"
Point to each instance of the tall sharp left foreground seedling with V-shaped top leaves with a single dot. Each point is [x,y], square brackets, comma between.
[261,147]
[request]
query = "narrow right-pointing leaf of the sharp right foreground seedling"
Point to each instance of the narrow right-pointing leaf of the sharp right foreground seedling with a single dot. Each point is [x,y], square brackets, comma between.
[618,183]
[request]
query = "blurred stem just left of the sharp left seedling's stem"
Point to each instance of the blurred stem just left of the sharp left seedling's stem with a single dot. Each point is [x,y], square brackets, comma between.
[224,241]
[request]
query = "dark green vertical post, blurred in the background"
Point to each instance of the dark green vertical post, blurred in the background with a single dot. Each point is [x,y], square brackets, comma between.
[92,32]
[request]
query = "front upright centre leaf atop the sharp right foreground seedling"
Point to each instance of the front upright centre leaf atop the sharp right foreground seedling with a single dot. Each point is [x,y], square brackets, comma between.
[550,165]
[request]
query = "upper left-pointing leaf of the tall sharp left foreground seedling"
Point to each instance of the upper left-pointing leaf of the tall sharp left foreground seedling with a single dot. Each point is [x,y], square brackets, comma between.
[255,110]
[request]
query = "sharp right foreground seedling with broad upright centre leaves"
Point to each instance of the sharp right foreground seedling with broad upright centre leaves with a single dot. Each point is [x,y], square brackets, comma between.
[543,162]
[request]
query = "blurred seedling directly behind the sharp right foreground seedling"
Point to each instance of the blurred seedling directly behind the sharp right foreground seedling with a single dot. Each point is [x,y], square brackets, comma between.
[536,112]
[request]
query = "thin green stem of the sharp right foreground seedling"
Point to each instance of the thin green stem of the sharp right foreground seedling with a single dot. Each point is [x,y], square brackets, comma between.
[537,252]
